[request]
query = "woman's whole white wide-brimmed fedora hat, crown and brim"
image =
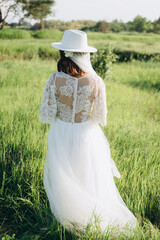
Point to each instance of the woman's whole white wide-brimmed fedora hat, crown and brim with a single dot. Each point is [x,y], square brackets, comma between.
[74,41]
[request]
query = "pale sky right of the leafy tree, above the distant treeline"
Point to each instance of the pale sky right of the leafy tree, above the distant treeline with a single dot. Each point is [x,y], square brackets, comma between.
[108,10]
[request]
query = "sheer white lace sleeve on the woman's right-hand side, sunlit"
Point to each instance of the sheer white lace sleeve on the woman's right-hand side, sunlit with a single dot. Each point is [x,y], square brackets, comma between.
[99,107]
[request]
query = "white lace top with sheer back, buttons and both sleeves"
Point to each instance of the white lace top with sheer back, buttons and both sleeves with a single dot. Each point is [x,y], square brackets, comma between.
[74,99]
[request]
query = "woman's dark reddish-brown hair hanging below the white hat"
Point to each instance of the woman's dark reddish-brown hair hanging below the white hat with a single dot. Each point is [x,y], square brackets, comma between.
[66,65]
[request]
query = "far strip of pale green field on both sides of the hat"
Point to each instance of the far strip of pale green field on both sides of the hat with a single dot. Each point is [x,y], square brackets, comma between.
[22,44]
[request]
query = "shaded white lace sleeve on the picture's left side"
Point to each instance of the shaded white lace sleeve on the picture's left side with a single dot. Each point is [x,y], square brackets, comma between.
[48,108]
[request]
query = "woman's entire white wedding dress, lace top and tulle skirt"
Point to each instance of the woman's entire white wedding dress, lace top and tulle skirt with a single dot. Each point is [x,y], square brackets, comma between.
[79,170]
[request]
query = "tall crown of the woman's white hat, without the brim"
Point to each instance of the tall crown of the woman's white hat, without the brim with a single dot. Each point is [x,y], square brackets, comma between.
[74,39]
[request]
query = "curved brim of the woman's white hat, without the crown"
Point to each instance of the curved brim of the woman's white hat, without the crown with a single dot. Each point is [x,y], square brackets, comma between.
[59,46]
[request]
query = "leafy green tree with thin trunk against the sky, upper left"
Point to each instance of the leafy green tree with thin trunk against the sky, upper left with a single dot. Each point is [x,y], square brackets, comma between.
[37,10]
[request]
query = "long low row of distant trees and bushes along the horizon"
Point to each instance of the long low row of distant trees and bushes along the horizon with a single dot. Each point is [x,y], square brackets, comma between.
[138,24]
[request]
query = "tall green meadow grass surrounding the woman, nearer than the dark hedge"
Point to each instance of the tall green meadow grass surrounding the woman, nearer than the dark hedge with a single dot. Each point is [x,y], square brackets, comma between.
[133,132]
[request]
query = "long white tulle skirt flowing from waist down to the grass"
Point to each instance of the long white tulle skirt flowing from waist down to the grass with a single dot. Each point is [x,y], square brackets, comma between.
[78,177]
